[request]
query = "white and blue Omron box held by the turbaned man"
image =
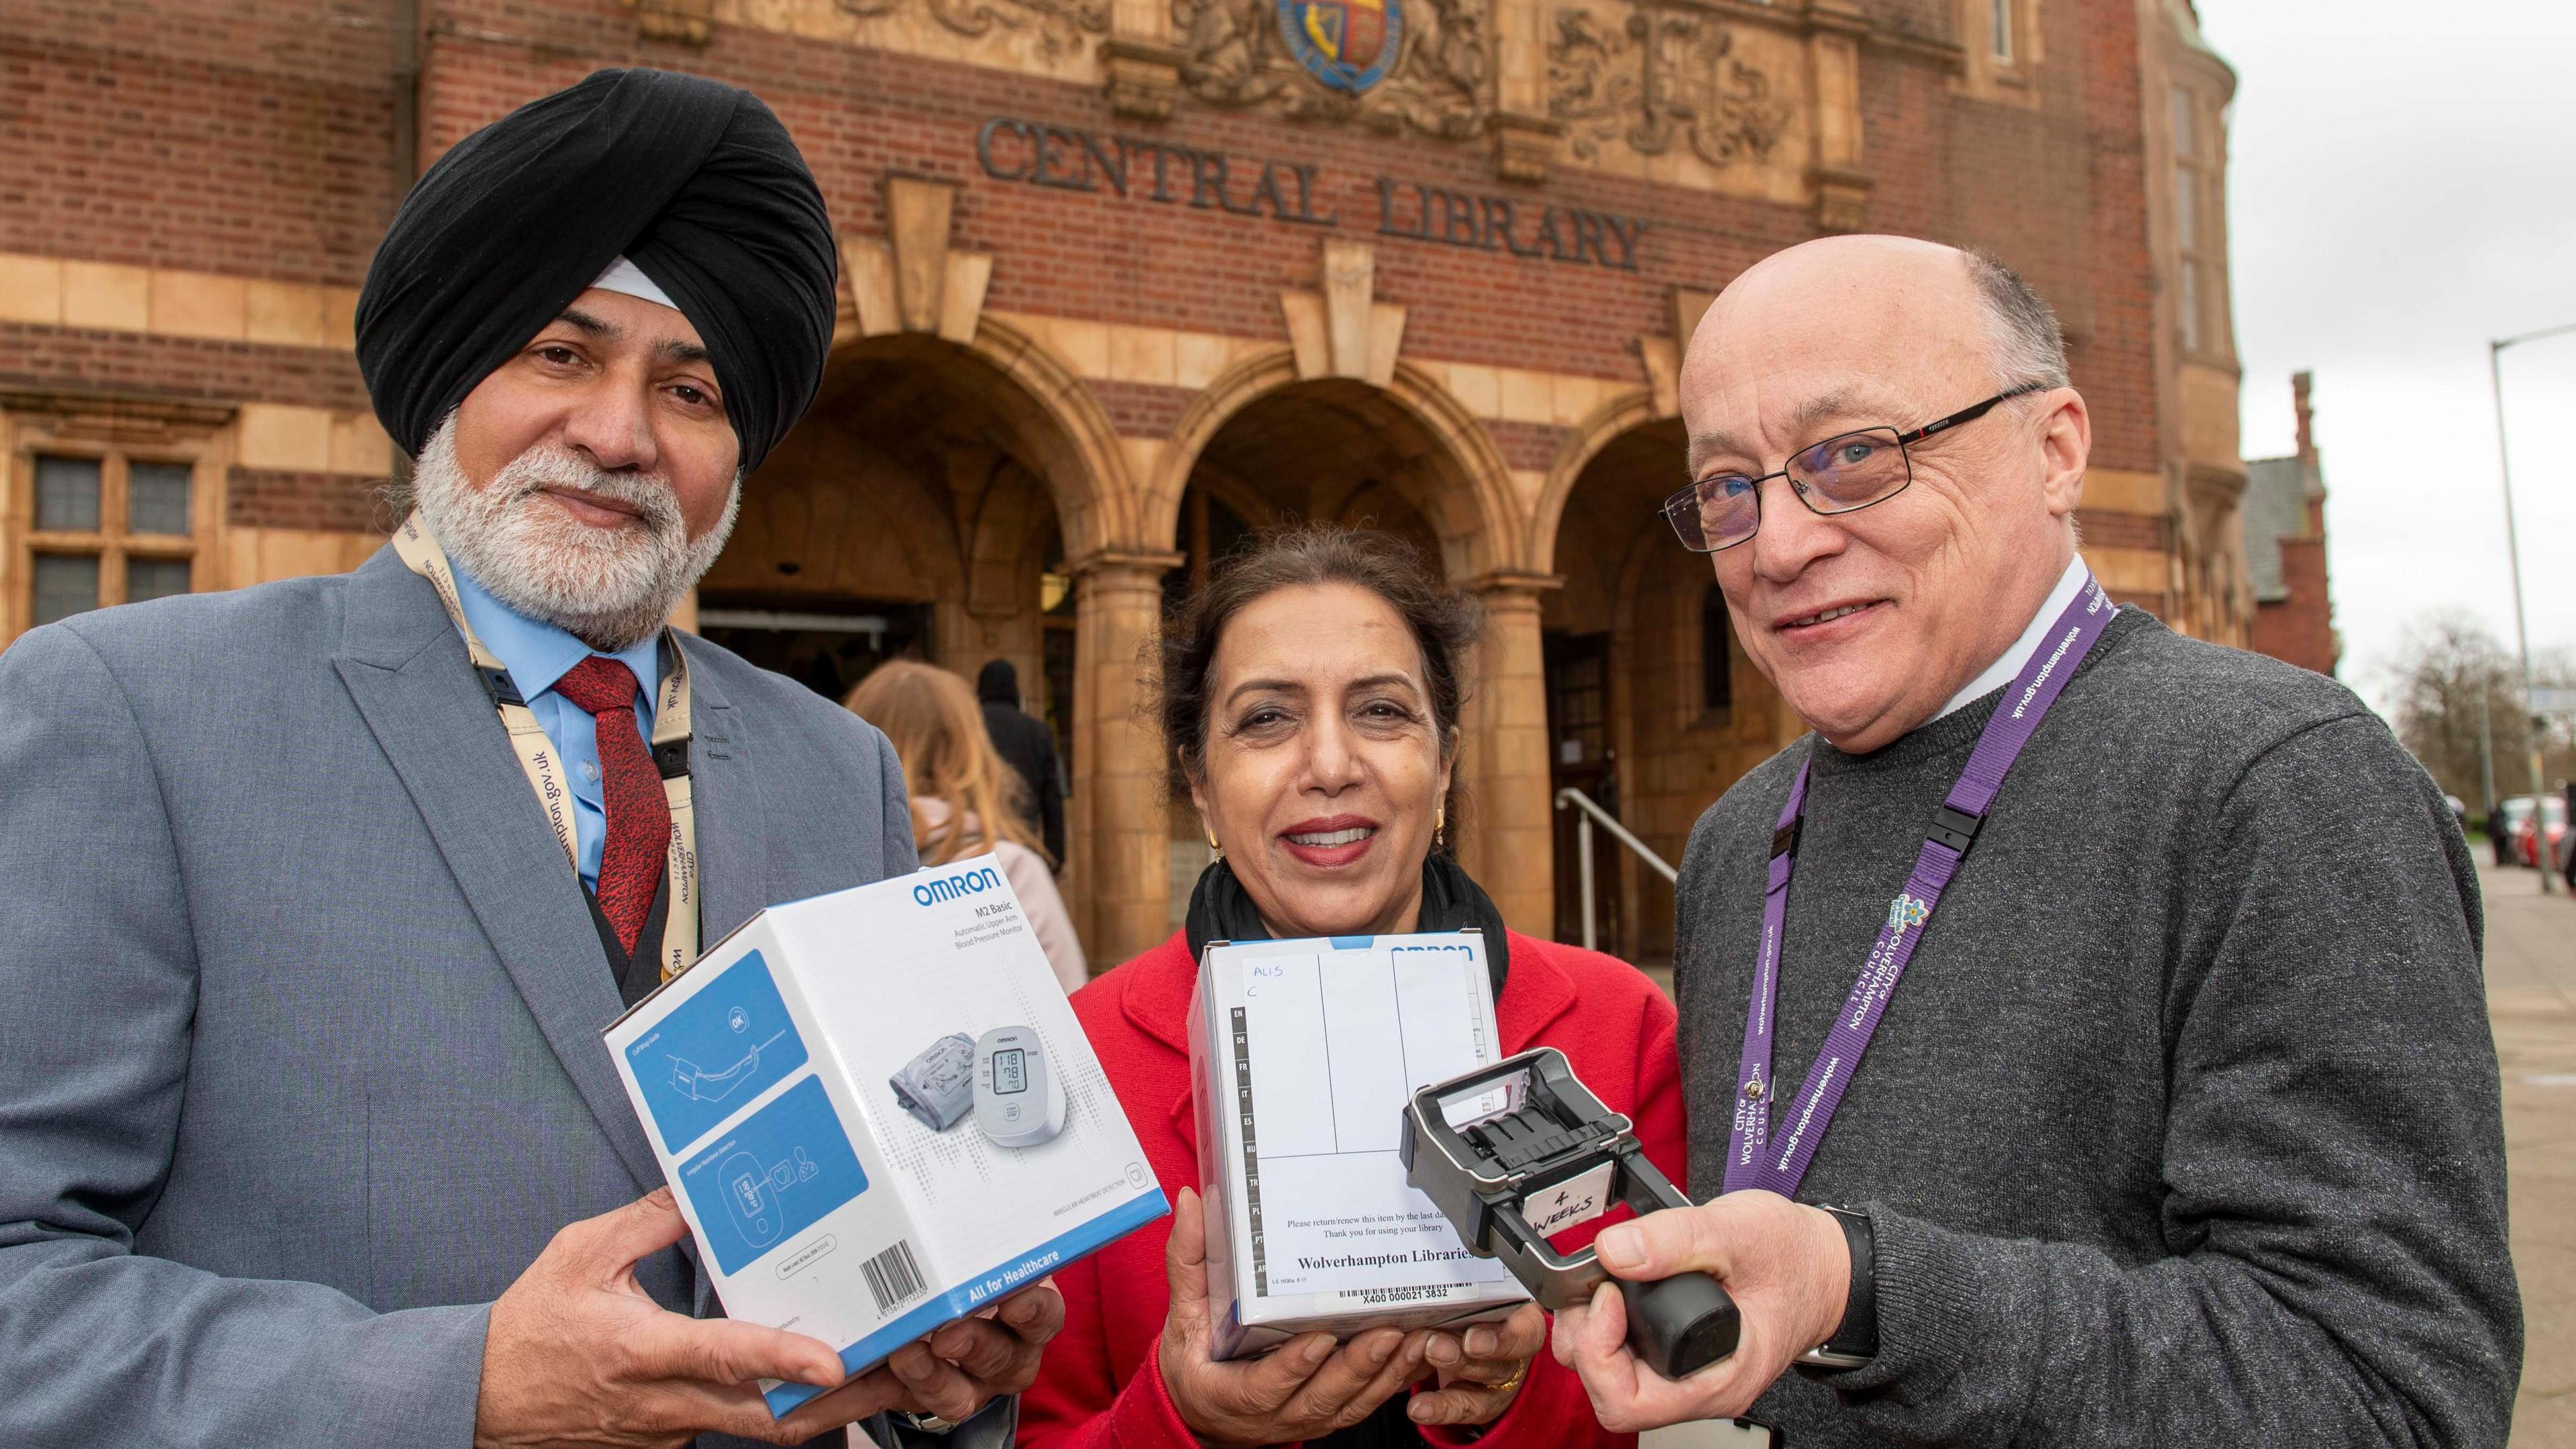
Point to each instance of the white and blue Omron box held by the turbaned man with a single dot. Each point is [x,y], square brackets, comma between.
[880,1113]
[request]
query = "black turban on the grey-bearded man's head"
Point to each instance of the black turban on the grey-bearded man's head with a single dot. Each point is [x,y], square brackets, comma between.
[684,177]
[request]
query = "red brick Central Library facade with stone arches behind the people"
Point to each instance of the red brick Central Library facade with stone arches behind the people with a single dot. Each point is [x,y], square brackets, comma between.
[1124,280]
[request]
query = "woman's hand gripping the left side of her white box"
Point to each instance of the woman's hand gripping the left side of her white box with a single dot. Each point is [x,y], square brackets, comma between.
[1300,1391]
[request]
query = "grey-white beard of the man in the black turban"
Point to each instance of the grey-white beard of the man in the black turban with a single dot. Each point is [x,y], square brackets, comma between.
[604,587]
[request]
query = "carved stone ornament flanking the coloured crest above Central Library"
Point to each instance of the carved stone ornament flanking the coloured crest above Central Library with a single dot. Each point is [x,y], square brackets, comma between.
[1439,84]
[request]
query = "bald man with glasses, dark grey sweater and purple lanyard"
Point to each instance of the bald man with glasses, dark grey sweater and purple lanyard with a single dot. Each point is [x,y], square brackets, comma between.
[2083,1027]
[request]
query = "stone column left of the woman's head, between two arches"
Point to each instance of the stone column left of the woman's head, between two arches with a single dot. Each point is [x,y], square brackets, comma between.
[1119,837]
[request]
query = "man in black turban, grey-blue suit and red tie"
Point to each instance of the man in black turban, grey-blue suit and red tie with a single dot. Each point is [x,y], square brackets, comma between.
[318,896]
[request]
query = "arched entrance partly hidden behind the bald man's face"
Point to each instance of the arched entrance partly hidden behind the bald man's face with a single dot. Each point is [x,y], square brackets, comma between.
[1653,705]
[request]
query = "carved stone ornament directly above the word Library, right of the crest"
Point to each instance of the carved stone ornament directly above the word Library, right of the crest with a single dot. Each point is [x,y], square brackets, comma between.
[1658,79]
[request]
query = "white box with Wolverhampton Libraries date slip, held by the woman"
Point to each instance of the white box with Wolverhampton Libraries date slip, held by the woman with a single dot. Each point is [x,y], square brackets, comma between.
[1305,1056]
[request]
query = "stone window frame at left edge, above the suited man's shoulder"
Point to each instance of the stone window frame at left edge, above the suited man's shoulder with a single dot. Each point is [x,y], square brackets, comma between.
[117,432]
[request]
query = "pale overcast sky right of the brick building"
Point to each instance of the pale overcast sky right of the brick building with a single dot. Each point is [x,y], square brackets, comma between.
[2400,192]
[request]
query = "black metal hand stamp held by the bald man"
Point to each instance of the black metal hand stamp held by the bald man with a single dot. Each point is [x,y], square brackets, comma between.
[1542,1162]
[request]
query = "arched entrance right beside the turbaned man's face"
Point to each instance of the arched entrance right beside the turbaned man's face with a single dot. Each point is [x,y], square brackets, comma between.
[923,509]
